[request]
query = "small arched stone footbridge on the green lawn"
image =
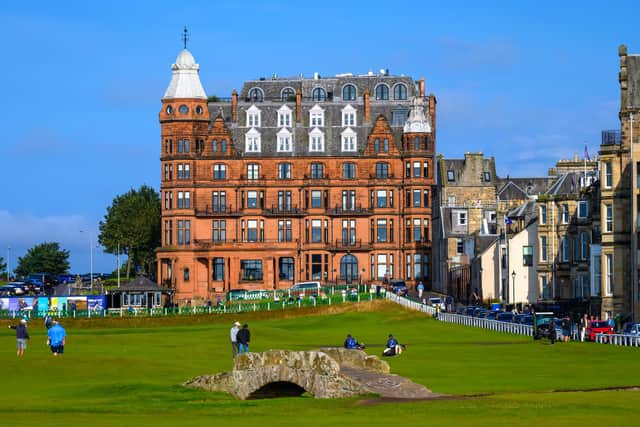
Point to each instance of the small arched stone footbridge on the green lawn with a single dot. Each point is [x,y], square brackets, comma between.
[323,373]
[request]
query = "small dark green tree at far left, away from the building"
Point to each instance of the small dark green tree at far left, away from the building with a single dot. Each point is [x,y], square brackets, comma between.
[44,258]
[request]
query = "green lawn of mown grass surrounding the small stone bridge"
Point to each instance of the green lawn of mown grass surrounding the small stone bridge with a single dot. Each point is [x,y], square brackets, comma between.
[127,372]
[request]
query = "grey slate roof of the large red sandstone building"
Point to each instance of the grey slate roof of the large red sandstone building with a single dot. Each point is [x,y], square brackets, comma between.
[332,113]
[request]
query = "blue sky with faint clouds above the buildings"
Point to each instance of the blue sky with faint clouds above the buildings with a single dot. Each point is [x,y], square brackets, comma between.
[83,81]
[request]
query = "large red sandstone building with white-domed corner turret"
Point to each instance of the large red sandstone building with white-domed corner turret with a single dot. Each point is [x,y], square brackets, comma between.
[295,179]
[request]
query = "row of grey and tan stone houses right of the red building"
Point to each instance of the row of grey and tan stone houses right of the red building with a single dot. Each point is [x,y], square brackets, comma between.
[569,238]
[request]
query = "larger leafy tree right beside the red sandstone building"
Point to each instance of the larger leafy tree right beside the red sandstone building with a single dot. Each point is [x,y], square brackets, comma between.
[133,222]
